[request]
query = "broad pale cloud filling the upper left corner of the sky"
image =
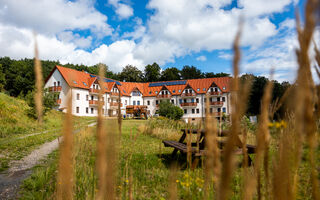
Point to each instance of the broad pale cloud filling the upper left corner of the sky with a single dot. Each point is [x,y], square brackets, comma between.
[54,16]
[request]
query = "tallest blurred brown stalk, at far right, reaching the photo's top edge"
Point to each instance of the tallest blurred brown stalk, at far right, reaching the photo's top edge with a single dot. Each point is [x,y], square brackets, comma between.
[304,112]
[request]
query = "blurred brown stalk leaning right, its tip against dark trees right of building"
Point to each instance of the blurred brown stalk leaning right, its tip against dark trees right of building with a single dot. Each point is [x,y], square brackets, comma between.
[263,137]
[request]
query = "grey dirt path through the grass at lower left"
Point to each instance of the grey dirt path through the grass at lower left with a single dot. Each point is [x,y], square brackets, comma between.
[10,181]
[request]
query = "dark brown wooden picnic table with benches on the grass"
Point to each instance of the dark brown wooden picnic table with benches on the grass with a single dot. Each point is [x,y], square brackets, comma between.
[198,152]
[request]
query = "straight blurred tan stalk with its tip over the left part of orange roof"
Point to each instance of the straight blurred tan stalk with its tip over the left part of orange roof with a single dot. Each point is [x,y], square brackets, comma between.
[101,143]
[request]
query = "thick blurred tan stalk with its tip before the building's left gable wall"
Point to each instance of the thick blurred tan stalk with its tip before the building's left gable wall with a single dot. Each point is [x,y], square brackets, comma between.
[65,170]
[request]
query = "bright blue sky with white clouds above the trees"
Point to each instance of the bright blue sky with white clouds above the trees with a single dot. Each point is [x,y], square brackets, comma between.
[169,32]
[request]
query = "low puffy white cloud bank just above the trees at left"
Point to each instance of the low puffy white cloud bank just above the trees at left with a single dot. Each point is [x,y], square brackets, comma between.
[19,44]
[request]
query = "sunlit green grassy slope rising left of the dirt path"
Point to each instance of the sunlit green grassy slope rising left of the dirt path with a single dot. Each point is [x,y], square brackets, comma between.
[15,125]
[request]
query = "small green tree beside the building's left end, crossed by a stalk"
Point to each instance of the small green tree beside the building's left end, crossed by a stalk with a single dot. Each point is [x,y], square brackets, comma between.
[49,101]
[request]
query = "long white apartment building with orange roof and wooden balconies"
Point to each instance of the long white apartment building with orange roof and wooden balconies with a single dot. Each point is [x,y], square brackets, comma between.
[190,95]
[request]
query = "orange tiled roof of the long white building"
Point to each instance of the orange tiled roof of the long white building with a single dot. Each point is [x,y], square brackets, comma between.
[77,79]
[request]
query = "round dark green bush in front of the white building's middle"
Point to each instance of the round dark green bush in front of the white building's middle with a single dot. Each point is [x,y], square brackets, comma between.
[167,109]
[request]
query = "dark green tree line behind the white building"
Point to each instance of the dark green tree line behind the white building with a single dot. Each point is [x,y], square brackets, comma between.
[17,77]
